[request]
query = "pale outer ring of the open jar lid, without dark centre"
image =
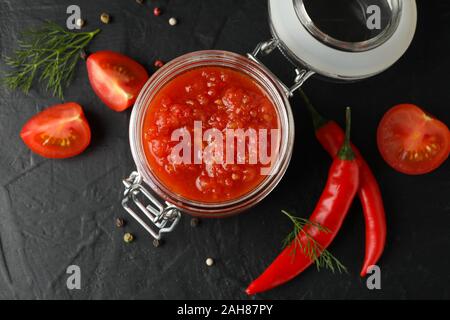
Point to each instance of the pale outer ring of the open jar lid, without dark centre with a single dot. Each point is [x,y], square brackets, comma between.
[306,50]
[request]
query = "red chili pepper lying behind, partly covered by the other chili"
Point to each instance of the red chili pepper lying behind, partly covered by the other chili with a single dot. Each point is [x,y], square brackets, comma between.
[331,136]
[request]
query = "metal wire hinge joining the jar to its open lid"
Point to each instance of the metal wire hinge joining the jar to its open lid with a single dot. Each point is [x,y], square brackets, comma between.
[264,49]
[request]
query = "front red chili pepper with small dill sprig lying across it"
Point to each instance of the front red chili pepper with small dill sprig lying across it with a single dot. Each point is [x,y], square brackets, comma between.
[330,211]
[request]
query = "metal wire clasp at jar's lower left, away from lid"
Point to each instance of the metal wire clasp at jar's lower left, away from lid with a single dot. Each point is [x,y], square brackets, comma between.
[163,216]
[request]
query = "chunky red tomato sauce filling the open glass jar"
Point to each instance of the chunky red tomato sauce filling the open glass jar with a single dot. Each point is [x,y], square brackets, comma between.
[221,98]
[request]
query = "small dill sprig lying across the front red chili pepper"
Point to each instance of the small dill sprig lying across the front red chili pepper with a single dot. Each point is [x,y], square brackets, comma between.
[312,249]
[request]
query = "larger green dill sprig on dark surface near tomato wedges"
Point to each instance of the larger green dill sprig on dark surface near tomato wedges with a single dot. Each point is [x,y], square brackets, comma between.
[49,54]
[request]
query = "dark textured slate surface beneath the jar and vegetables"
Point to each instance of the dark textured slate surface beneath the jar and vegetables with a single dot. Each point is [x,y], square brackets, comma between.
[57,213]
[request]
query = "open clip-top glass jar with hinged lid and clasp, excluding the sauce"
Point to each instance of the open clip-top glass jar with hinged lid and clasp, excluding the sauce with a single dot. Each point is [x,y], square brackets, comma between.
[313,44]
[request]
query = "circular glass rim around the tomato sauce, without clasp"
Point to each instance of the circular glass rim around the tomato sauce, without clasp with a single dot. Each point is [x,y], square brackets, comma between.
[220,58]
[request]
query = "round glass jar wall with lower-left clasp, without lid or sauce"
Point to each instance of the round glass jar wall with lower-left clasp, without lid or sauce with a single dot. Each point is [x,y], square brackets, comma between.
[169,205]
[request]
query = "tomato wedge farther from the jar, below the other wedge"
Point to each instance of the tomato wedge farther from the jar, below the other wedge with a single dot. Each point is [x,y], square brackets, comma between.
[60,131]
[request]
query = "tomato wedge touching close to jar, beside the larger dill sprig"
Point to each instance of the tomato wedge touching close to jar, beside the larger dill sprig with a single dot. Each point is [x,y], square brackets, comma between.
[115,78]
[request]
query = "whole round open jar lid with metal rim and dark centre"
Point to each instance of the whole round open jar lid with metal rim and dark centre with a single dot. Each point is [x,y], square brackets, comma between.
[345,39]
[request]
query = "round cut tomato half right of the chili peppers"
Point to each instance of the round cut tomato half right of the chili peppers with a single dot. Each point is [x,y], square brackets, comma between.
[411,141]
